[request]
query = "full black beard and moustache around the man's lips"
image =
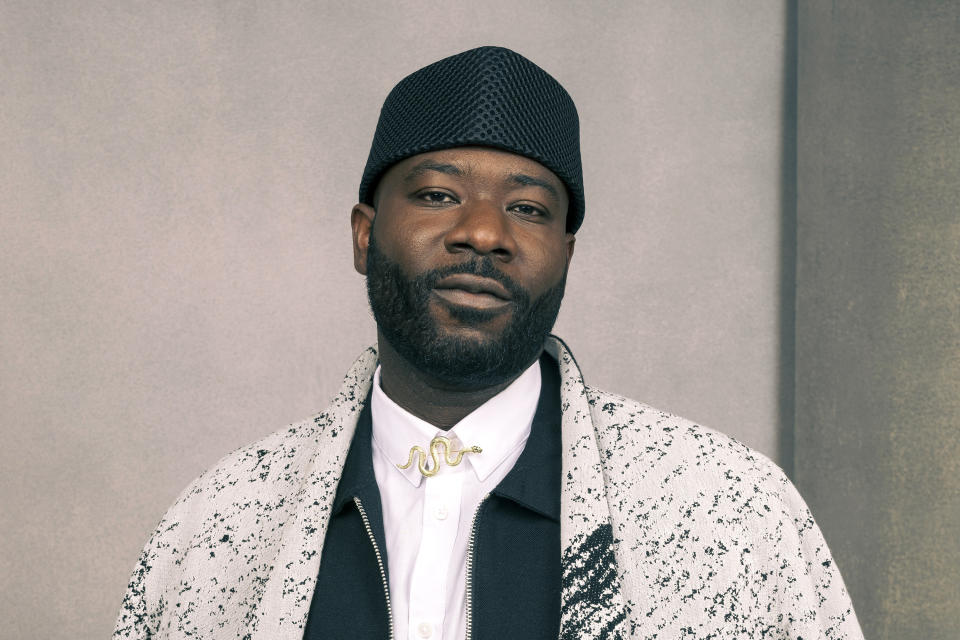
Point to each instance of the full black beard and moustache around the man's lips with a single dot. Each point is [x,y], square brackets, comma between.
[401,307]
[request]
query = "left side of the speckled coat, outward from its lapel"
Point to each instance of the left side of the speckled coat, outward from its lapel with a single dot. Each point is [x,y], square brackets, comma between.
[221,529]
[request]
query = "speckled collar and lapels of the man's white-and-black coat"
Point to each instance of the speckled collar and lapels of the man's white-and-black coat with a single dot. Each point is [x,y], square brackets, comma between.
[591,602]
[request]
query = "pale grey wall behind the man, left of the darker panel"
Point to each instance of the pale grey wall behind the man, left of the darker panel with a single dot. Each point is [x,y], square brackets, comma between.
[176,272]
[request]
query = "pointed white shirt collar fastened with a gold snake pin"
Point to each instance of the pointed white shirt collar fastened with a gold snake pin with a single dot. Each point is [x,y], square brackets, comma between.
[497,426]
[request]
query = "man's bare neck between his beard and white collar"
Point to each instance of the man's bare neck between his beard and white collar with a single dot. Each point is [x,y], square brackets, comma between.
[425,396]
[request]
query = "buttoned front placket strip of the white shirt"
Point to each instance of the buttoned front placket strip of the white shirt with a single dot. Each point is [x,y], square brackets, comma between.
[428,585]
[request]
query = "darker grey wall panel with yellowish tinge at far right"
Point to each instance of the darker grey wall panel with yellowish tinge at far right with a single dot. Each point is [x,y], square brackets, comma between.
[878,302]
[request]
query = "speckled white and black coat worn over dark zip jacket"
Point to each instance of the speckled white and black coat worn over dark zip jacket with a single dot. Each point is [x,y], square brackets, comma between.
[668,530]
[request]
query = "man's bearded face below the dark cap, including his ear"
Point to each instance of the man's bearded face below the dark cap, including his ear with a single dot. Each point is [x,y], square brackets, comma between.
[466,262]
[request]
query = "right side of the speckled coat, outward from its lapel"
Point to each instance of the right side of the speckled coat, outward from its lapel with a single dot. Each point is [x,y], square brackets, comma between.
[711,532]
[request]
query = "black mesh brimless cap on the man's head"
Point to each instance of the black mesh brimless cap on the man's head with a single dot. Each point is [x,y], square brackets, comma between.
[491,97]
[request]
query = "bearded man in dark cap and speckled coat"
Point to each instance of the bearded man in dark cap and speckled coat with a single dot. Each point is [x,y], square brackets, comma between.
[465,483]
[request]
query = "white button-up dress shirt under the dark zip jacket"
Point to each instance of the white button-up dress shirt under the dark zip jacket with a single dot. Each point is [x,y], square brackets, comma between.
[428,521]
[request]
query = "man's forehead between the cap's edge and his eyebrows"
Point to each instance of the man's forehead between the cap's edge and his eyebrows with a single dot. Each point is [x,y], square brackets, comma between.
[477,162]
